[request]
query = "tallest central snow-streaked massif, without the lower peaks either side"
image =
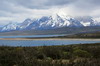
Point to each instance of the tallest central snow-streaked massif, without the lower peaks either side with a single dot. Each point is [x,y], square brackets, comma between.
[54,21]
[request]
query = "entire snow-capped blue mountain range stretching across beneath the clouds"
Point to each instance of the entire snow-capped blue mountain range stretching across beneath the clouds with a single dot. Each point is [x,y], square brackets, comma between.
[53,21]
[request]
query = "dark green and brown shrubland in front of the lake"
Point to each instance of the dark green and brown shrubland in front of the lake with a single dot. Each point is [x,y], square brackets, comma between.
[65,55]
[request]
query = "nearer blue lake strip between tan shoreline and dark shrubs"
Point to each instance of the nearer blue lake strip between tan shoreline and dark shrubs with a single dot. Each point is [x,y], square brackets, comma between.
[26,43]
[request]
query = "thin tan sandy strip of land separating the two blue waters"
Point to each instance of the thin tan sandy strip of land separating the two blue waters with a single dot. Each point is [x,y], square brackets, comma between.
[94,39]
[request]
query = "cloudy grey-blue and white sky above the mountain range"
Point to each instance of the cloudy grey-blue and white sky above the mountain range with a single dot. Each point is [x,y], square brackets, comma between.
[19,10]
